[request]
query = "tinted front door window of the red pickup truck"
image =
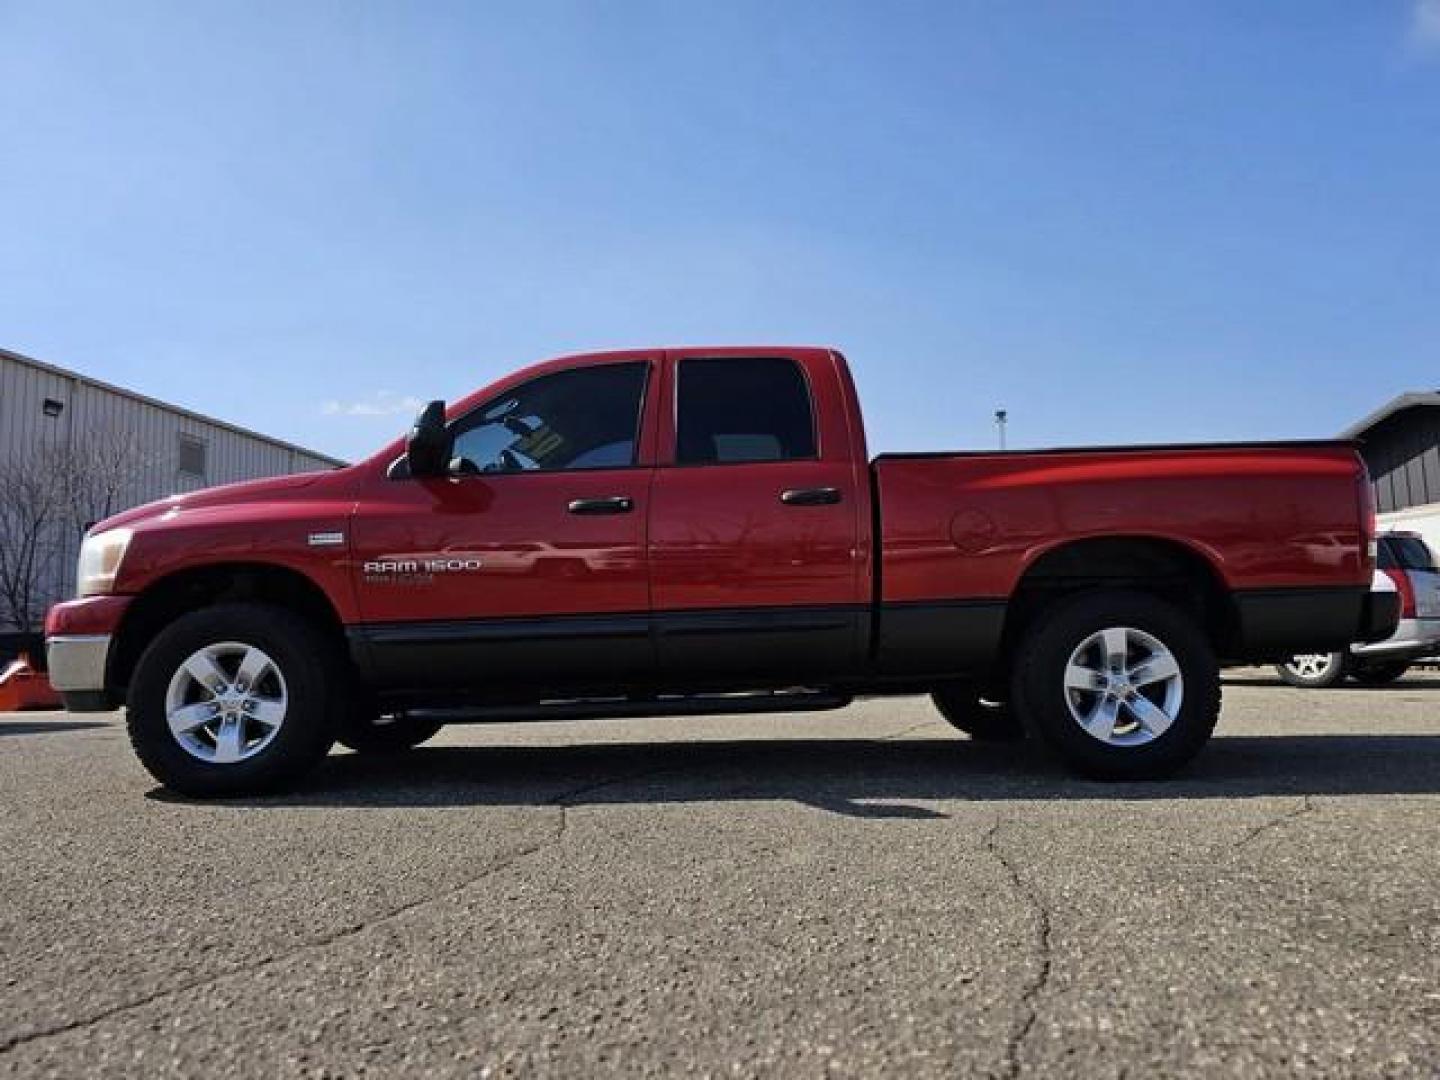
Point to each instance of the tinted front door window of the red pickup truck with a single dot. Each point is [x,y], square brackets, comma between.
[582,420]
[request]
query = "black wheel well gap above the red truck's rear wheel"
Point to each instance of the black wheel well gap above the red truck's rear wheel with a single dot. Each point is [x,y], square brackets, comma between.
[1163,568]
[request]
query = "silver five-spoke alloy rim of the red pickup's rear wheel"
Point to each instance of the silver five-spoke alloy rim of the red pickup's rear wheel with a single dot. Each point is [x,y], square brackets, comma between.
[1124,686]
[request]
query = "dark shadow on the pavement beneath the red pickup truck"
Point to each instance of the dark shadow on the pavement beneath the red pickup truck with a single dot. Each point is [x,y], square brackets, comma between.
[863,778]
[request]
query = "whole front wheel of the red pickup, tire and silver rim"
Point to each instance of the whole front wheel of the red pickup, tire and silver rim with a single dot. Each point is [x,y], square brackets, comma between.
[234,701]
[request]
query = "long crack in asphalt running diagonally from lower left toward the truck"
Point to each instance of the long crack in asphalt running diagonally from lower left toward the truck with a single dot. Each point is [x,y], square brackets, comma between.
[561,803]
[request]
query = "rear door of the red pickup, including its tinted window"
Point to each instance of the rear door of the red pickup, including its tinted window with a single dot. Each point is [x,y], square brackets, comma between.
[755,534]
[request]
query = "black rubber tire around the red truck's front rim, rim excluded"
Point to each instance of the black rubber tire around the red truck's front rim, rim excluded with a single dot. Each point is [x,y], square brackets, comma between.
[313,678]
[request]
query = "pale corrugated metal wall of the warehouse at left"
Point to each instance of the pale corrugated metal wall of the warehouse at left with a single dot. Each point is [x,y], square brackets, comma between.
[97,415]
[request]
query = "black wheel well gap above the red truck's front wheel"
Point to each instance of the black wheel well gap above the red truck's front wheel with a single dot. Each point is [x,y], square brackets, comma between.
[204,587]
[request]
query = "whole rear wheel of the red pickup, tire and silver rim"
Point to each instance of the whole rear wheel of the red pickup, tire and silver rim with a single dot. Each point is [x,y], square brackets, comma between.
[1122,686]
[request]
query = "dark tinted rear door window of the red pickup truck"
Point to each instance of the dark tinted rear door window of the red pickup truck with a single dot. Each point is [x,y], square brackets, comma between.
[737,411]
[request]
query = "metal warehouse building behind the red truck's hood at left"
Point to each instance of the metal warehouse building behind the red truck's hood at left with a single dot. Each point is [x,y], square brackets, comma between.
[150,450]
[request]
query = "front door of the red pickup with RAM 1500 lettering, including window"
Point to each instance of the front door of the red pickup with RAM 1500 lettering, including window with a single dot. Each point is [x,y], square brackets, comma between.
[528,565]
